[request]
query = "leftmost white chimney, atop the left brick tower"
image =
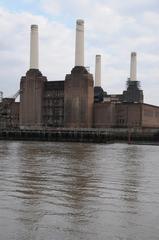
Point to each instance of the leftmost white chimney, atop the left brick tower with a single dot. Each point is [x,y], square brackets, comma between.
[34,48]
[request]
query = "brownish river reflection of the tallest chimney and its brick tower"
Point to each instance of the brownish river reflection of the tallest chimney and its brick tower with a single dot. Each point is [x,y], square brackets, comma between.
[80,190]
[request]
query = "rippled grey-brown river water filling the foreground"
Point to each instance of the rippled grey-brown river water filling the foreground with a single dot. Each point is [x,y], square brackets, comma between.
[74,191]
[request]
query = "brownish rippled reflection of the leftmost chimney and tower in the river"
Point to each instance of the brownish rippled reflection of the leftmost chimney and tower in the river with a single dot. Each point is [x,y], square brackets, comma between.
[29,189]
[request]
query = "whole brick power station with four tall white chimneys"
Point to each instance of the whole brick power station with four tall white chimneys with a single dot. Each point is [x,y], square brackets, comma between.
[75,102]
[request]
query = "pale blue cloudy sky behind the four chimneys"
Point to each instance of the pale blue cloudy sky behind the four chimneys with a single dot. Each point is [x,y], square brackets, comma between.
[113,28]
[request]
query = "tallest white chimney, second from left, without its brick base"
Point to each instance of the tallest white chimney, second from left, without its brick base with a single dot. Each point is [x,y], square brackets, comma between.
[79,48]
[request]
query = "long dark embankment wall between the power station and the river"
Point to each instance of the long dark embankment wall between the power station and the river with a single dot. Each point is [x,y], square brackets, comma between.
[83,135]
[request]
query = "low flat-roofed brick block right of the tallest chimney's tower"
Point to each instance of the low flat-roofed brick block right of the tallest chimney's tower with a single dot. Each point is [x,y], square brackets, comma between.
[134,115]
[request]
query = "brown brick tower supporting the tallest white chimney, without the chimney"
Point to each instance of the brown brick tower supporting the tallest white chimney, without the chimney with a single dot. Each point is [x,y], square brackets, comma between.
[78,98]
